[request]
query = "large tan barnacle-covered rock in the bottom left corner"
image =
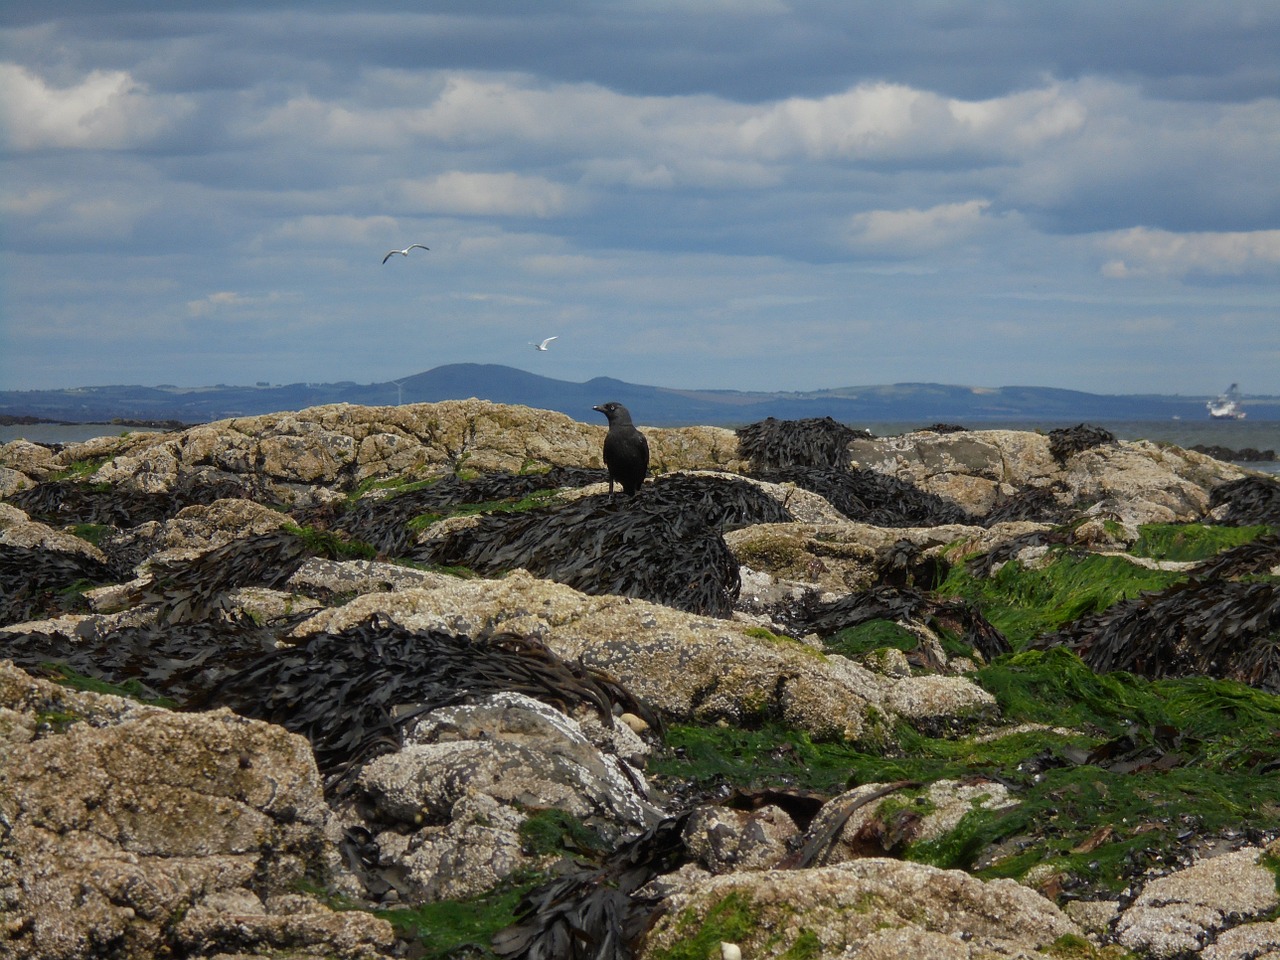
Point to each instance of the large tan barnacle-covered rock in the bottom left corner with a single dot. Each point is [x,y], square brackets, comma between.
[138,816]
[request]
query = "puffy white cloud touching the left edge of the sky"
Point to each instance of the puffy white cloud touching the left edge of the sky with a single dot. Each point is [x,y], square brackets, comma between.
[107,111]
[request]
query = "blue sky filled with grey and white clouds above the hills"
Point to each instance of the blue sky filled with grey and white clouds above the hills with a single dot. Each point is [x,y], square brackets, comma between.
[694,194]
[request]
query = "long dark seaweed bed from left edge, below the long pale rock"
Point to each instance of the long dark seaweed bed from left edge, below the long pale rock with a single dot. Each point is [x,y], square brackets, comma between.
[351,693]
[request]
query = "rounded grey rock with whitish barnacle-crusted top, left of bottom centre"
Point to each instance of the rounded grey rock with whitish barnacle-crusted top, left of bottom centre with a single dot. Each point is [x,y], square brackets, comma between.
[467,780]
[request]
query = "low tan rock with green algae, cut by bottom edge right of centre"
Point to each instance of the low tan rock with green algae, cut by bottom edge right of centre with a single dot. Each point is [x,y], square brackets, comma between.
[874,907]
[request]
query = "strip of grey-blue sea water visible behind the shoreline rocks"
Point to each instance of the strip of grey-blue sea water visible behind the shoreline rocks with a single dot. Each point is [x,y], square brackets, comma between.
[1233,435]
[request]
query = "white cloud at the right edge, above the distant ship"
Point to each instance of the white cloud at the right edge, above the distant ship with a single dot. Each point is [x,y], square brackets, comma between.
[1146,253]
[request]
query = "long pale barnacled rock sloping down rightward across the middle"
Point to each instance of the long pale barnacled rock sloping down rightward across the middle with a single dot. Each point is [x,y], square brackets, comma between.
[684,665]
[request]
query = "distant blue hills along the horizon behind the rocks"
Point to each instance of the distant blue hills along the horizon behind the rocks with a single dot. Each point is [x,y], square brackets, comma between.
[925,404]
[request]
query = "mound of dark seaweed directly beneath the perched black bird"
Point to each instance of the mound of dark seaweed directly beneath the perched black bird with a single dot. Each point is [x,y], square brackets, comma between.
[665,545]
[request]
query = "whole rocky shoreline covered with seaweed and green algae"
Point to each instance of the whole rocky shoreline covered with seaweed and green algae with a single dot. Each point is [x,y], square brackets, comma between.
[280,685]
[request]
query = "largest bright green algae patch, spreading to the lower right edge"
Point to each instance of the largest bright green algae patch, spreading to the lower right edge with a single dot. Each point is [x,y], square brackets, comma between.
[1114,775]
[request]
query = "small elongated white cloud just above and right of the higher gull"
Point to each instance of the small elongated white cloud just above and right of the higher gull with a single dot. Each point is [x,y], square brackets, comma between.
[486,195]
